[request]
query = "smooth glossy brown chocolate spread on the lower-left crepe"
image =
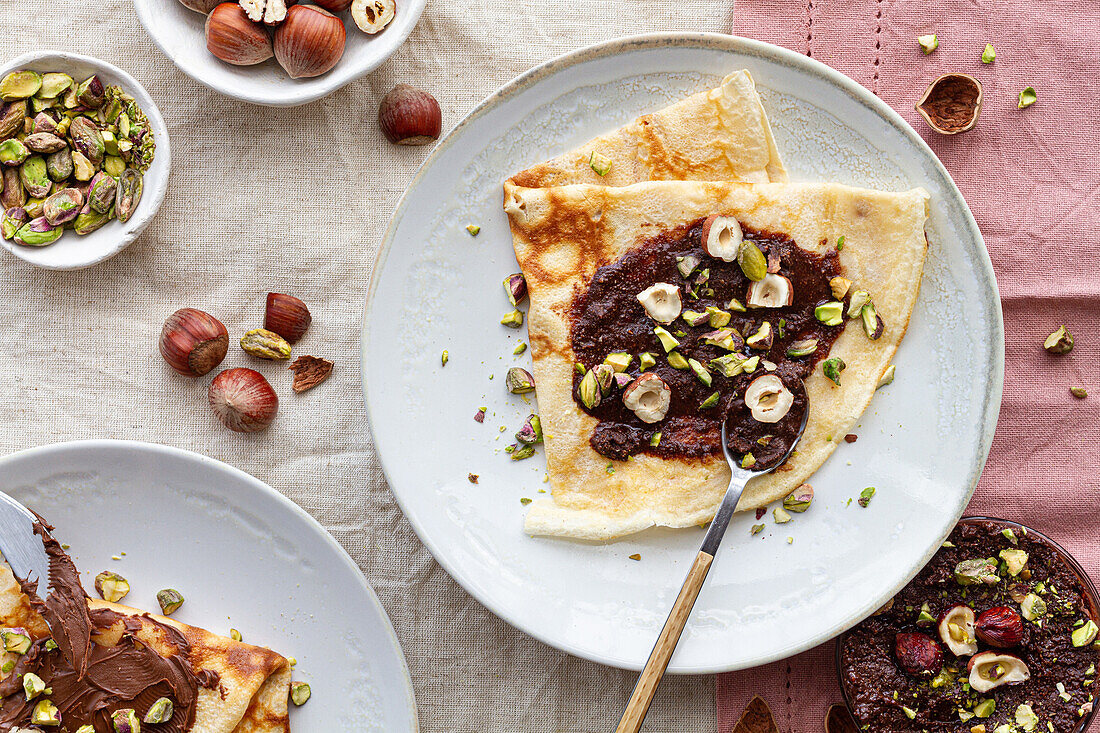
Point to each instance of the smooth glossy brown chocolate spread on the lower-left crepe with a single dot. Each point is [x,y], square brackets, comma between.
[90,681]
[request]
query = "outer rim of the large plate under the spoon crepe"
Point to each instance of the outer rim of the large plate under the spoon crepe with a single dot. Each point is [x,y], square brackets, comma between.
[749,48]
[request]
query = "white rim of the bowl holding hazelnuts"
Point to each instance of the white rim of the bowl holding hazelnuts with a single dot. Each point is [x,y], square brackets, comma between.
[296,94]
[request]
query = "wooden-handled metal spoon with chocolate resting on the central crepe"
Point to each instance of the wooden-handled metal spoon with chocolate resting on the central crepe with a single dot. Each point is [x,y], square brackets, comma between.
[735,428]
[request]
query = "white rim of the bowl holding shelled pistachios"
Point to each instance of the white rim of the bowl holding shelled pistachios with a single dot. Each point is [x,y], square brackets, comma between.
[153,196]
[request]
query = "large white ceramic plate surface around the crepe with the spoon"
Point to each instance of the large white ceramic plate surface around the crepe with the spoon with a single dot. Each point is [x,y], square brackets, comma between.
[922,443]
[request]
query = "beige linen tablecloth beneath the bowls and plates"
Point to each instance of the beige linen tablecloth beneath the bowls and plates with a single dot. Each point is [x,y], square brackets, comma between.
[296,202]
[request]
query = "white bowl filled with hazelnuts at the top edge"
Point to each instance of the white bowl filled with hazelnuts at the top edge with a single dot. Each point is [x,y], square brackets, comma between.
[280,53]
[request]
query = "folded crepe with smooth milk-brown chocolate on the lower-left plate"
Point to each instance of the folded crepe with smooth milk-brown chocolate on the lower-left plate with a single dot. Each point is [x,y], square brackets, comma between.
[219,685]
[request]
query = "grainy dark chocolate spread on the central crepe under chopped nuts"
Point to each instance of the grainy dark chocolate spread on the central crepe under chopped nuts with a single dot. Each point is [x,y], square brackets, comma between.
[609,319]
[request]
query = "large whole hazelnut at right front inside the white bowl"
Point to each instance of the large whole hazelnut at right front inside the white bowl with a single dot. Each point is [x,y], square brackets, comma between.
[311,42]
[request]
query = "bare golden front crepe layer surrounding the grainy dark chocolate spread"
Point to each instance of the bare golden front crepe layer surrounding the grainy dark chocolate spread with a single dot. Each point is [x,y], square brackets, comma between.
[563,235]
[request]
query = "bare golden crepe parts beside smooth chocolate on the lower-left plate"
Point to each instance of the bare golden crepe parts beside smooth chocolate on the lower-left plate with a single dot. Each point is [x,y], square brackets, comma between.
[255,683]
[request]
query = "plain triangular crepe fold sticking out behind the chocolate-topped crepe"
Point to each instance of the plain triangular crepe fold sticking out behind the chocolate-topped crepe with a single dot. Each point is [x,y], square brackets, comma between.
[719,135]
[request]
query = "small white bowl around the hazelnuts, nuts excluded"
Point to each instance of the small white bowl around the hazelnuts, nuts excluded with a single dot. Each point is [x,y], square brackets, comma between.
[181,35]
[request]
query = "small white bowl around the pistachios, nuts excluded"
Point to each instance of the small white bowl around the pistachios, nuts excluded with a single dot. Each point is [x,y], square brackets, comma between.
[73,251]
